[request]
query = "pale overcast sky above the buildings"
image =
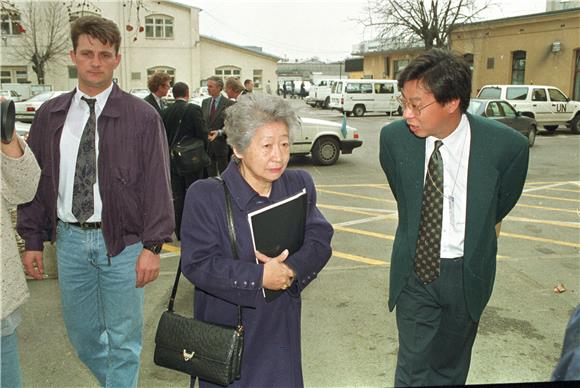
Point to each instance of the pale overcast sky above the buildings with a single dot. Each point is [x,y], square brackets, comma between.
[301,29]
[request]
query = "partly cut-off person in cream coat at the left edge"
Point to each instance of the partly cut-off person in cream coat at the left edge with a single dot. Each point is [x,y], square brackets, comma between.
[20,175]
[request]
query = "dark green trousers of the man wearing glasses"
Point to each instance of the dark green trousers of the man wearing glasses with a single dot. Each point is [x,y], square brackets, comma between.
[436,333]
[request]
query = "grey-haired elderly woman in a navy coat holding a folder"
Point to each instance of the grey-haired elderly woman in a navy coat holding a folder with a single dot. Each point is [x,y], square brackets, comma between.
[260,129]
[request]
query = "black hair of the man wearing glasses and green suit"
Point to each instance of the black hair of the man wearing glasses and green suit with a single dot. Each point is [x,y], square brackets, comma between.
[445,74]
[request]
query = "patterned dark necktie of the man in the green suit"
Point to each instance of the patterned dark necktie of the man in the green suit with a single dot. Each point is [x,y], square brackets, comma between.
[428,255]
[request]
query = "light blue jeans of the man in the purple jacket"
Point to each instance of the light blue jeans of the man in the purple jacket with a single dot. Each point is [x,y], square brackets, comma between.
[102,308]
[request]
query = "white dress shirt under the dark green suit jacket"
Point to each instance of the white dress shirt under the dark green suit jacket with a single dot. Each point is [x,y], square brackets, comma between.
[455,155]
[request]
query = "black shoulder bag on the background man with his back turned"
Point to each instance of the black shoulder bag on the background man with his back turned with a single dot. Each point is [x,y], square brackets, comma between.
[188,155]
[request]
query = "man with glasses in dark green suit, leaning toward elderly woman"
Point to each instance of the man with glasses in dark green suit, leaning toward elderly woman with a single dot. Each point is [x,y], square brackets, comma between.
[455,177]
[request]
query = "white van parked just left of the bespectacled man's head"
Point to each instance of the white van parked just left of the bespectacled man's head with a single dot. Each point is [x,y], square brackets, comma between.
[357,96]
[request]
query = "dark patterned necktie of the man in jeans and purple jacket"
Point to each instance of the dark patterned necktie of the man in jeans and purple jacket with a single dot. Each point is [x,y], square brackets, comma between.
[86,169]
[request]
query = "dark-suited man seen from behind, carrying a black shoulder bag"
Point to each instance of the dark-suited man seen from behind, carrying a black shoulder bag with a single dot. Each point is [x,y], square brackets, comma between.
[182,120]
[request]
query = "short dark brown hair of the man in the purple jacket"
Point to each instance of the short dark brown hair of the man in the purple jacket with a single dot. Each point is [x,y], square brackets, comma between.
[105,30]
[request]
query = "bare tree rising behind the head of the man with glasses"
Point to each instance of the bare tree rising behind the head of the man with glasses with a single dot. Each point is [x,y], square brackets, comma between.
[413,23]
